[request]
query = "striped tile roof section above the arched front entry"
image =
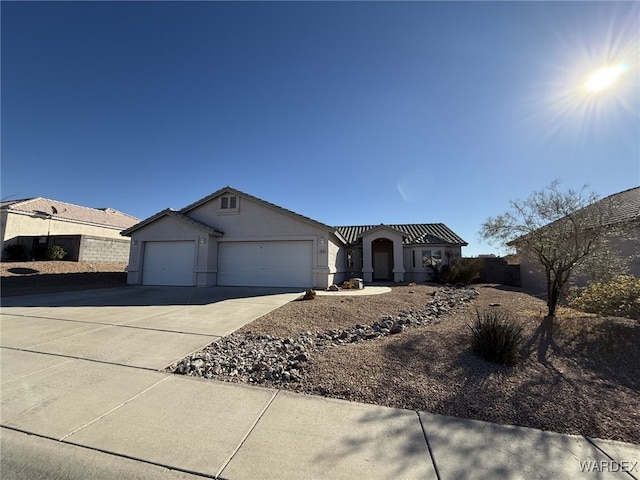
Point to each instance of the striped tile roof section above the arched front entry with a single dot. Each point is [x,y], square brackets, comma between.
[415,233]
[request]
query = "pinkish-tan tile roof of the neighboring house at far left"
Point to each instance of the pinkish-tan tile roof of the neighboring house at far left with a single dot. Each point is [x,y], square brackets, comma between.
[38,206]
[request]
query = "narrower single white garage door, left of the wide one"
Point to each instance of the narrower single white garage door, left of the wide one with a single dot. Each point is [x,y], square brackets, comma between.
[168,263]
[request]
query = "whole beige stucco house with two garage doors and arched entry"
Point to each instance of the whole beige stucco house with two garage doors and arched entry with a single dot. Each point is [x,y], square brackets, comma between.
[233,238]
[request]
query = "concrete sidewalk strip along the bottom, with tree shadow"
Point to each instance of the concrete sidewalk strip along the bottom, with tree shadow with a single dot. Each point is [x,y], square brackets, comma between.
[88,416]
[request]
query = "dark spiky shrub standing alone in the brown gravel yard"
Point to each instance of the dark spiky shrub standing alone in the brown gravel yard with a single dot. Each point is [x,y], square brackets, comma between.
[496,337]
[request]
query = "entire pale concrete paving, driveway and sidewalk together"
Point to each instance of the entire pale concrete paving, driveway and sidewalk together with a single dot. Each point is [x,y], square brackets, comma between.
[81,398]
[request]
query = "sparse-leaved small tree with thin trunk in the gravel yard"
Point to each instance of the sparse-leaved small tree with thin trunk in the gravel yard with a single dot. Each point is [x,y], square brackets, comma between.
[565,232]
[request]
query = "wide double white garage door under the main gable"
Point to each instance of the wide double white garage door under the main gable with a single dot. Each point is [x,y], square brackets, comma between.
[266,264]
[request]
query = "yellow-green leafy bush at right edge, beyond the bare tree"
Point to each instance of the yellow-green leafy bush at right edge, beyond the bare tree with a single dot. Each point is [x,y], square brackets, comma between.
[618,297]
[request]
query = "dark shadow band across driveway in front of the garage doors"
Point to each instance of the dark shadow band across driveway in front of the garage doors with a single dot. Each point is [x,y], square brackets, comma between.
[143,296]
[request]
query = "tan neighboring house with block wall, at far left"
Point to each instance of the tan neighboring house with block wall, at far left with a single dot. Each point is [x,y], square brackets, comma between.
[86,234]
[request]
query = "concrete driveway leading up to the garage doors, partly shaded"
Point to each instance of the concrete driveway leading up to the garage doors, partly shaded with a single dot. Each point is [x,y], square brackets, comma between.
[144,327]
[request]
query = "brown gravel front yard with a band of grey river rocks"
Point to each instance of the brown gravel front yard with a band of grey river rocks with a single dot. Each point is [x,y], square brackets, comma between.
[410,349]
